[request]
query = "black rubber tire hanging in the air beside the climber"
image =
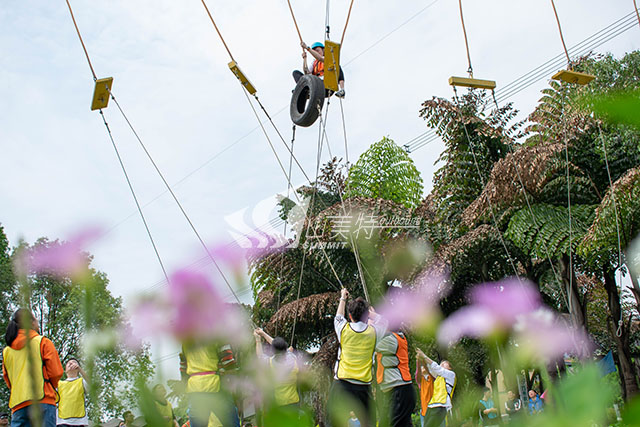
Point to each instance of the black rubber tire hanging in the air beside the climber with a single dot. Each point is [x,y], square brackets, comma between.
[307,100]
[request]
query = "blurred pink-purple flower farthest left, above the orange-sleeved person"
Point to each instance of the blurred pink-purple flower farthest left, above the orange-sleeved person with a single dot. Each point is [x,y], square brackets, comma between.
[60,259]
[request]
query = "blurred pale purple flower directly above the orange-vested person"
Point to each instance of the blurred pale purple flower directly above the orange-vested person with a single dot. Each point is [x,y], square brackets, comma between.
[414,307]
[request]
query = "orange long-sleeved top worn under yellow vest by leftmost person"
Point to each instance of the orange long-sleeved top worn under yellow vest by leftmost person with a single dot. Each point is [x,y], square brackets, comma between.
[51,367]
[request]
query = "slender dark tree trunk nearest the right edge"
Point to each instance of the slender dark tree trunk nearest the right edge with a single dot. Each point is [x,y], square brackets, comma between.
[627,373]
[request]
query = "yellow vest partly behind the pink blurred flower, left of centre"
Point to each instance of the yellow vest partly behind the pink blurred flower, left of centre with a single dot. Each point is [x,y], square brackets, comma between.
[202,369]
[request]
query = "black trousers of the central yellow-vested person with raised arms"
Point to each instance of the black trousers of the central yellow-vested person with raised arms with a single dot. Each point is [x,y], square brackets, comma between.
[345,397]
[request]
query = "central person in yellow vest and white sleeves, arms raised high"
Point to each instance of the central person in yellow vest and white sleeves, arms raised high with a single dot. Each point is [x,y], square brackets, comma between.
[353,371]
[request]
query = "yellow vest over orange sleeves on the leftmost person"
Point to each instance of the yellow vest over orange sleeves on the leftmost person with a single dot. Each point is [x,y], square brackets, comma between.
[16,363]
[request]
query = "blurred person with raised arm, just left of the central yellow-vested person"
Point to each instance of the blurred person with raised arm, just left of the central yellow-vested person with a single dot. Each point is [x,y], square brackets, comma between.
[284,367]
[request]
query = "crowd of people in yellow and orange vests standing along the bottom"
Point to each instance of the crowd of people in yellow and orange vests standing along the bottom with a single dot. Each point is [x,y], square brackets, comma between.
[369,354]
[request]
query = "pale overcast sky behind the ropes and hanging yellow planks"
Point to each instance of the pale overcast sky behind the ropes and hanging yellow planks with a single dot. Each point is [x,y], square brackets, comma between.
[170,74]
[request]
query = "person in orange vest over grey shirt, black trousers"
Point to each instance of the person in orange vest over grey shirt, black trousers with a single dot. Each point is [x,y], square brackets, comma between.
[394,378]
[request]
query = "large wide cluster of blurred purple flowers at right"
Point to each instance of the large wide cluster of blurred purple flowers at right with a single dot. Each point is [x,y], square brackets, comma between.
[513,307]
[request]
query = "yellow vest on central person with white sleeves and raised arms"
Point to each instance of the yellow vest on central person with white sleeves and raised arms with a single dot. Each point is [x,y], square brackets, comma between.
[356,354]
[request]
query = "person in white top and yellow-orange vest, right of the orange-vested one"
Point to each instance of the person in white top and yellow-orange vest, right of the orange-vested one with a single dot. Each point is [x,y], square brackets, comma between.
[444,384]
